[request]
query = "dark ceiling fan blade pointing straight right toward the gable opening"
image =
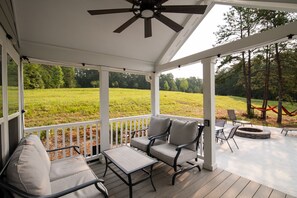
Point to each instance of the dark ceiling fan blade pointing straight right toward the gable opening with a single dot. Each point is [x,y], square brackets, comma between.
[186,9]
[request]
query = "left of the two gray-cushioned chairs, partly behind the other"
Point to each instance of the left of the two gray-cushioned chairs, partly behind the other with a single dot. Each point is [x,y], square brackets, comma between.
[158,126]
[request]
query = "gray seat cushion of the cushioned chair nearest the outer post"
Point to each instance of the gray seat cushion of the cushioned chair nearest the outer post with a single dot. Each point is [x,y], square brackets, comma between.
[166,153]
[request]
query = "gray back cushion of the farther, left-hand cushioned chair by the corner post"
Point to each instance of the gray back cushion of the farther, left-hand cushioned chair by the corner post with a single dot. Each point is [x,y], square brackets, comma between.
[158,125]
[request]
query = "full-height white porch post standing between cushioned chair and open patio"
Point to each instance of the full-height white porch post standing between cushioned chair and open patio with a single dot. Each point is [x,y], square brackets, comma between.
[209,113]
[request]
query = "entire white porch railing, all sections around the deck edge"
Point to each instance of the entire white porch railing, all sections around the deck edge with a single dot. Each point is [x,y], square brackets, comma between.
[87,134]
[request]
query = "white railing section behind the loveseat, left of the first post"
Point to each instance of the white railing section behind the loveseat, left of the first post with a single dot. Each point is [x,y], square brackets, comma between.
[83,134]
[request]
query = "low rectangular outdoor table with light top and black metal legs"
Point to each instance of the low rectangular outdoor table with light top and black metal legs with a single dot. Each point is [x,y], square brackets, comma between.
[129,161]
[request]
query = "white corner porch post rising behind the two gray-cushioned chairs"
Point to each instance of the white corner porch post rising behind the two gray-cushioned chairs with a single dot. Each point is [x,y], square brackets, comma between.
[155,94]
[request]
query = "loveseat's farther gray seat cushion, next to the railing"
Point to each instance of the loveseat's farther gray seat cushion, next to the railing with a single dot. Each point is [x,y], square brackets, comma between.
[67,166]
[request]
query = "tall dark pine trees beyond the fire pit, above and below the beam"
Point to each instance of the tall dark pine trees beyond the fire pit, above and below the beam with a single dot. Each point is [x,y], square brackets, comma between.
[267,72]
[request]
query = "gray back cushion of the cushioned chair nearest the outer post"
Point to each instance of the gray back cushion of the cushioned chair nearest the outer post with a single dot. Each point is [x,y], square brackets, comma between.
[183,132]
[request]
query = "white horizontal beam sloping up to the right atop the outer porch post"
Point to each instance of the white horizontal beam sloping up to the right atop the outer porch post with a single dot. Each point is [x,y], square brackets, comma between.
[257,40]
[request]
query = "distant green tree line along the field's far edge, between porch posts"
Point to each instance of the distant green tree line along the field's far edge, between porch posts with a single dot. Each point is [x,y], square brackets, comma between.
[38,76]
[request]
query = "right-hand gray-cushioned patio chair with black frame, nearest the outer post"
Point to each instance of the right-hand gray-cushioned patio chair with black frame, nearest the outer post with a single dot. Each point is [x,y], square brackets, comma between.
[181,148]
